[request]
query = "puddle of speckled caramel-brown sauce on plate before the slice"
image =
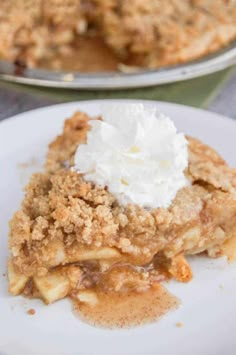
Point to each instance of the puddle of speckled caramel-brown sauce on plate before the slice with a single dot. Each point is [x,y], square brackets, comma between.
[126,310]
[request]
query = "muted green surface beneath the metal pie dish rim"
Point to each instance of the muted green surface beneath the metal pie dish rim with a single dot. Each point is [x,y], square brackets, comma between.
[196,92]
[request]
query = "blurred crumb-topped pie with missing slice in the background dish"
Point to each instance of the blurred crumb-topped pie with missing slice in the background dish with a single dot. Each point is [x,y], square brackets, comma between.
[62,34]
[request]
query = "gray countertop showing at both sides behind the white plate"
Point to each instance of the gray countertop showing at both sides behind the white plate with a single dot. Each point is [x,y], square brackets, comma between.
[13,102]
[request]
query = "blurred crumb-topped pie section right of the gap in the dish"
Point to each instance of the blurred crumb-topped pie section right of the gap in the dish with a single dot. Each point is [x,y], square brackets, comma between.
[167,32]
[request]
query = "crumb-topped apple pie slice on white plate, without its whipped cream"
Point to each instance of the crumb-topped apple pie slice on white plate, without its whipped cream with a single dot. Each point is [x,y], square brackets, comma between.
[72,237]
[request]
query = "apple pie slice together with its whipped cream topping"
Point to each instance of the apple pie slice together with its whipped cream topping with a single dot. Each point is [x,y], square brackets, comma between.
[75,236]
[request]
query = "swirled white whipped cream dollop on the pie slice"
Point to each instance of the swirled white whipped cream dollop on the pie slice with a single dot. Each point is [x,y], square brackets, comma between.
[136,153]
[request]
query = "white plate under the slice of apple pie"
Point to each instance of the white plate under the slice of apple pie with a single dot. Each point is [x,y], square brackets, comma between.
[208,310]
